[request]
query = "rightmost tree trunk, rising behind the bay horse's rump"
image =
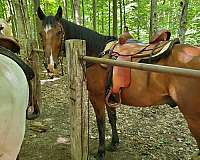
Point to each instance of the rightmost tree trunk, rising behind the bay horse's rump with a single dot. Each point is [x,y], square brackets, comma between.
[183,20]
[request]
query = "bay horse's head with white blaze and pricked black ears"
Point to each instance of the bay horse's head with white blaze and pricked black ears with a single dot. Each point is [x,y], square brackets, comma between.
[52,35]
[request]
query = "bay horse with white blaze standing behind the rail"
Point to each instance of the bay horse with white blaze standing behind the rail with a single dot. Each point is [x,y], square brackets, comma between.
[160,88]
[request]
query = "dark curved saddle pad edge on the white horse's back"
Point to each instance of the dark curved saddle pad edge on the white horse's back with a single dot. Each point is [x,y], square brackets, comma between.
[27,70]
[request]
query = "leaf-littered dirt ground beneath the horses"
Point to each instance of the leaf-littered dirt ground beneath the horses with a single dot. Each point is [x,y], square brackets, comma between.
[156,133]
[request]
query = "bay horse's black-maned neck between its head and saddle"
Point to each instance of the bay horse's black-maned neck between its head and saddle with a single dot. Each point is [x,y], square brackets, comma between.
[95,42]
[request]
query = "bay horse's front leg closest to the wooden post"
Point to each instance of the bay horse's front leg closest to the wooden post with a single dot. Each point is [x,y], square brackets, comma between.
[99,108]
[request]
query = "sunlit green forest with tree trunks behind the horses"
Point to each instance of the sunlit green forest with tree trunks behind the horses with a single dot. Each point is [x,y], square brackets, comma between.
[108,17]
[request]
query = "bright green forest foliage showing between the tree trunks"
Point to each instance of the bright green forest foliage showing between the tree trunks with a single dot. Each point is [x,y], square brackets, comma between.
[137,15]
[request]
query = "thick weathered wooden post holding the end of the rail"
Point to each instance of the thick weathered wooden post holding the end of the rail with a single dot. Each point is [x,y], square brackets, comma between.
[78,99]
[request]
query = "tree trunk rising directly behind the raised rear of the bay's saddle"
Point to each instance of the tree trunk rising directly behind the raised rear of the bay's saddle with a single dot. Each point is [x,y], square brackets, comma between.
[153,19]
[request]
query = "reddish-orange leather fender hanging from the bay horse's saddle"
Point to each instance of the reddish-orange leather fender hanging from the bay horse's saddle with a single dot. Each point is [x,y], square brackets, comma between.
[121,75]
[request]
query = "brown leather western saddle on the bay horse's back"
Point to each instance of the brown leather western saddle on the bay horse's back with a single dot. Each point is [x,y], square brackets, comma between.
[120,77]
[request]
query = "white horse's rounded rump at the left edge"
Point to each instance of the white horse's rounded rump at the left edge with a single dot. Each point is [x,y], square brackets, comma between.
[14,101]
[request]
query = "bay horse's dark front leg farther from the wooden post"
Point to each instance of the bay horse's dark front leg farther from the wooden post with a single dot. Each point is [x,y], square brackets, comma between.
[112,120]
